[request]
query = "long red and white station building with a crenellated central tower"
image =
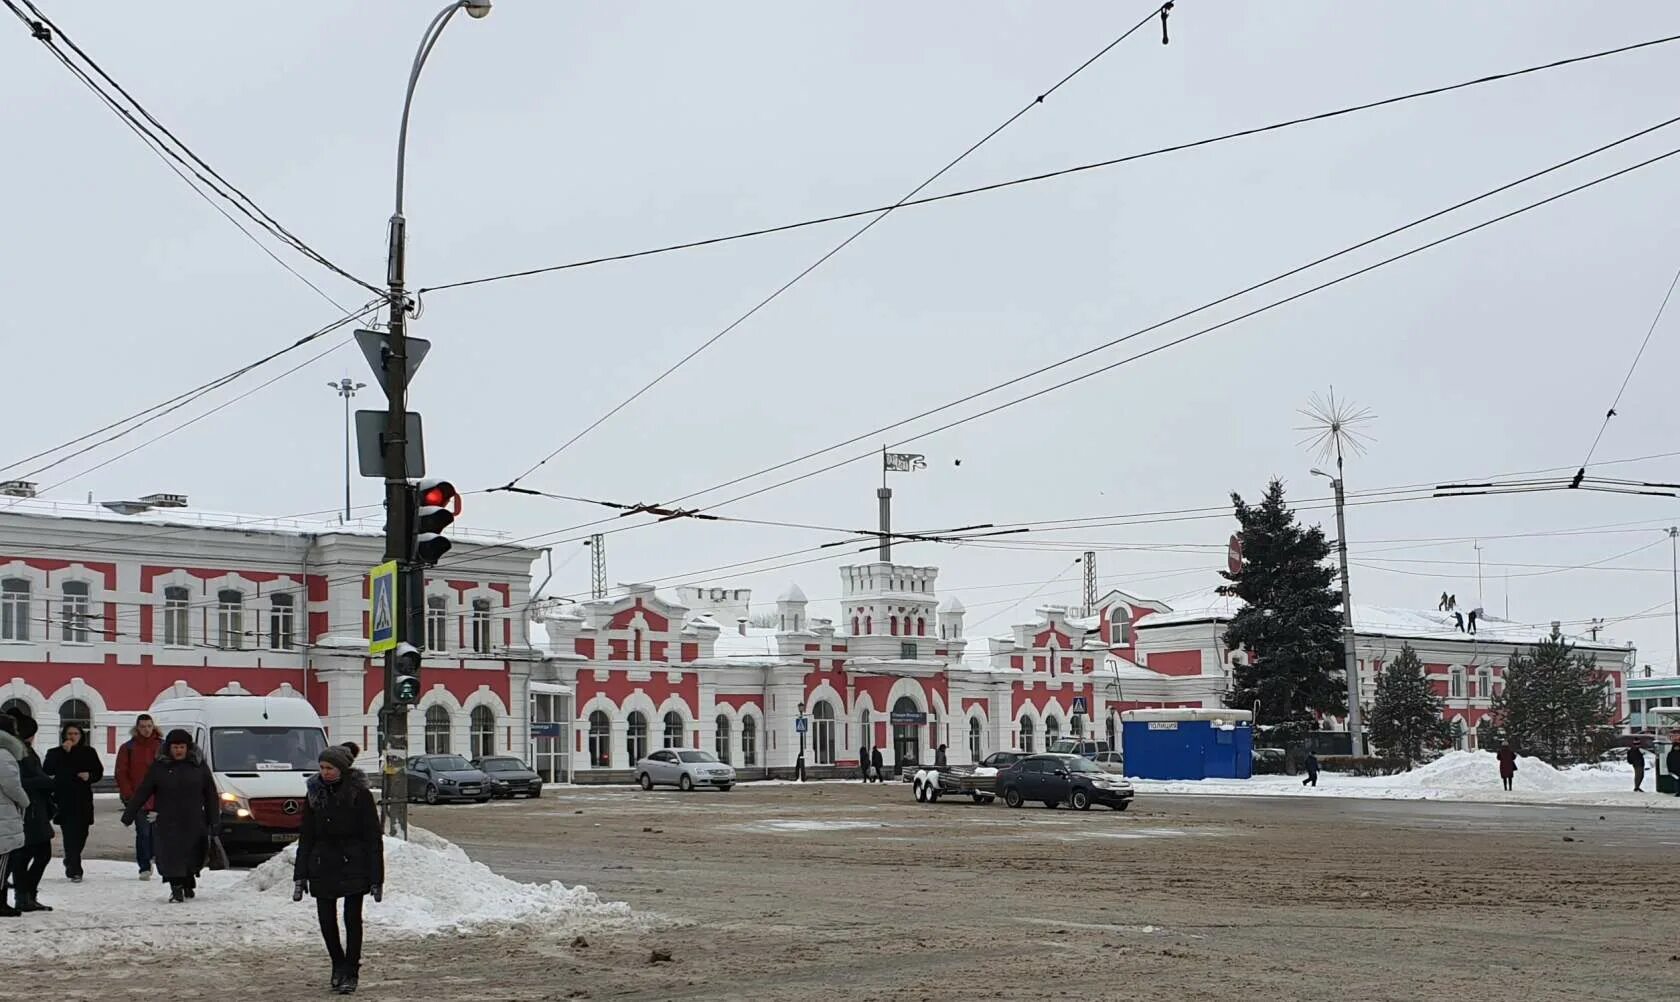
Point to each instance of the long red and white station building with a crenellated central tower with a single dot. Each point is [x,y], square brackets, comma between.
[108,608]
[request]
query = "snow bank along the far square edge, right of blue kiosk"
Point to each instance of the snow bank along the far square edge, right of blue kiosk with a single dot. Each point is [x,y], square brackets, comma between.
[1457,776]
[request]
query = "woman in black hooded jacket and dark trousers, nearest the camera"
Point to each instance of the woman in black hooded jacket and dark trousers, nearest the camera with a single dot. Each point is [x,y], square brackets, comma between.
[340,857]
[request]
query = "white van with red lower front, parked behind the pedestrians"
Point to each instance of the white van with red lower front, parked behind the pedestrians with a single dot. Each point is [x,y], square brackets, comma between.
[263,752]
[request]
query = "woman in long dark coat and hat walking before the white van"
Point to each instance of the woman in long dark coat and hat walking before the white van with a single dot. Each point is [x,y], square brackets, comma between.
[182,793]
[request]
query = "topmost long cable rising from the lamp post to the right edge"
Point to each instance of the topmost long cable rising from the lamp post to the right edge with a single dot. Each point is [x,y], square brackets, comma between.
[1044,177]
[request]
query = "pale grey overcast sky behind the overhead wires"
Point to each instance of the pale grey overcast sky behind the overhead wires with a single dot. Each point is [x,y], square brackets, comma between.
[554,132]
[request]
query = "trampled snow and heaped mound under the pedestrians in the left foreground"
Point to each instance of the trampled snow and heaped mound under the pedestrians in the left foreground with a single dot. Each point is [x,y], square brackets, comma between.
[431,889]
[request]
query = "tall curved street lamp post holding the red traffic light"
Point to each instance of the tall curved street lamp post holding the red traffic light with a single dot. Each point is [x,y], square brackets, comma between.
[399,534]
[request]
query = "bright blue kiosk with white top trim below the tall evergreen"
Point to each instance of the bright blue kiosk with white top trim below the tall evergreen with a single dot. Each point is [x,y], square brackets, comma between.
[1189,744]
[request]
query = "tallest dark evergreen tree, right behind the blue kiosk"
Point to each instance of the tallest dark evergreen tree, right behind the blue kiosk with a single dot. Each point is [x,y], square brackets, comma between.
[1291,620]
